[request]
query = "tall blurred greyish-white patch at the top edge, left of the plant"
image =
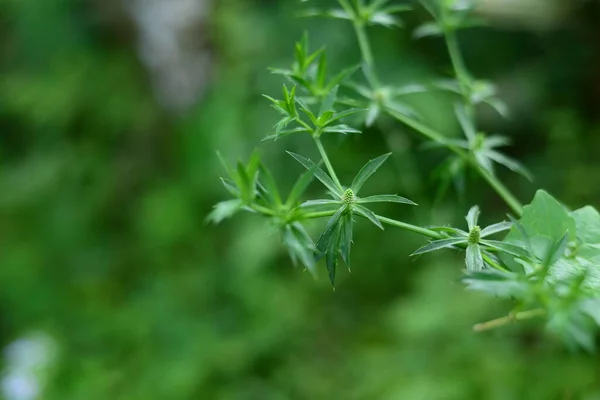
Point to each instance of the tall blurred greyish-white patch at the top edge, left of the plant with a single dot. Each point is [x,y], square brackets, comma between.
[172,44]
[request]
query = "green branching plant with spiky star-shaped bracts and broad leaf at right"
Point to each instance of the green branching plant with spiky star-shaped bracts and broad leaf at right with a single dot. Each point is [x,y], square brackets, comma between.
[549,261]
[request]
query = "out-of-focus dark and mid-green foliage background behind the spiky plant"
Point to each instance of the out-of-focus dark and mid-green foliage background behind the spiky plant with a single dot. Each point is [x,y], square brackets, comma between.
[113,287]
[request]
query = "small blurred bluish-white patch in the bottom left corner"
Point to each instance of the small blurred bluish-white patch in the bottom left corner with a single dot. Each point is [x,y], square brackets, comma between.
[27,361]
